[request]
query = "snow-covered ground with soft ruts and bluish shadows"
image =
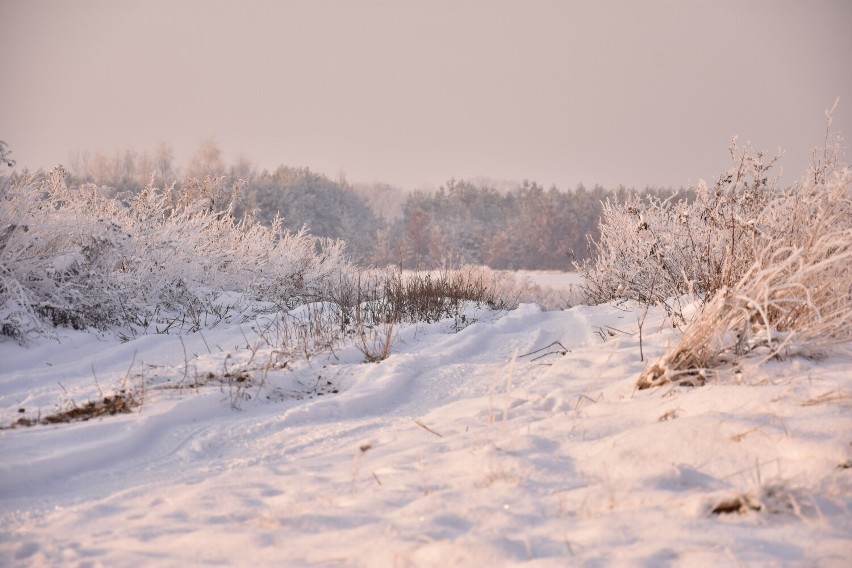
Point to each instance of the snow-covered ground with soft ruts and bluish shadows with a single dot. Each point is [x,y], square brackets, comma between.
[462,448]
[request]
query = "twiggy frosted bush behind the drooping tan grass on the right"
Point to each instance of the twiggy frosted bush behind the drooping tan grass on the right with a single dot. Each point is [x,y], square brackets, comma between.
[652,249]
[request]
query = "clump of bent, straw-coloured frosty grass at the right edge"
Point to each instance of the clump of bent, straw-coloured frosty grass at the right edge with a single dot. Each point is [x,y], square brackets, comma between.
[795,302]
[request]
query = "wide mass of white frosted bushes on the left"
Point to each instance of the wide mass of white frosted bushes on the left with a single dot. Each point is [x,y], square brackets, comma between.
[157,260]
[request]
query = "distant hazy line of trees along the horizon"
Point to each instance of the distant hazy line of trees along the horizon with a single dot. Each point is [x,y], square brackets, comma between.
[463,222]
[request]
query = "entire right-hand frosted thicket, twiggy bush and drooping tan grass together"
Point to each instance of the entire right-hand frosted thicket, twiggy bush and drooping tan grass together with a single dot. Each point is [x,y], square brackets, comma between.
[771,266]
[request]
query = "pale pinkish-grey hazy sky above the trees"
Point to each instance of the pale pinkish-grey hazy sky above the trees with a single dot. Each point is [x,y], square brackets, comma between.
[645,92]
